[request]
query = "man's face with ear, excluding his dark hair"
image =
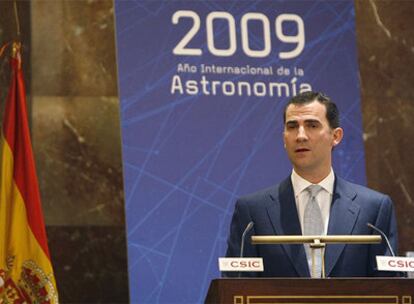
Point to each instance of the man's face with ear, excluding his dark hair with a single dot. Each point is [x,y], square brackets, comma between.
[309,139]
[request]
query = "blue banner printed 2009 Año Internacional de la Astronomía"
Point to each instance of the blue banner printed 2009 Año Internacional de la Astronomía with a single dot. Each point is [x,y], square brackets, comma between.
[202,86]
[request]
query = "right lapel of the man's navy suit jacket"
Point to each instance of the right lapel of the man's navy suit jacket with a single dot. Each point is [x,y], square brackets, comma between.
[343,215]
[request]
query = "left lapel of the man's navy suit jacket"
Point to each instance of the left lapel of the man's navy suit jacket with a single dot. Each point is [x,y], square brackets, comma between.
[284,217]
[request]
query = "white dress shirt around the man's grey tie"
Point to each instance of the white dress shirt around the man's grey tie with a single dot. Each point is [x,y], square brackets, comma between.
[324,197]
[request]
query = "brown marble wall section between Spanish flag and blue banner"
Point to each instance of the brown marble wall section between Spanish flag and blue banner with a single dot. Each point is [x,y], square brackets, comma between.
[70,67]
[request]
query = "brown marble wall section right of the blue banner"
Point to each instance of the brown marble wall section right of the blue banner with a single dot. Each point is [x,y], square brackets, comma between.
[385,37]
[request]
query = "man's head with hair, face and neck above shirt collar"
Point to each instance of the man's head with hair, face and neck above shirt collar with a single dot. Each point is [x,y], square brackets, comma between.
[311,132]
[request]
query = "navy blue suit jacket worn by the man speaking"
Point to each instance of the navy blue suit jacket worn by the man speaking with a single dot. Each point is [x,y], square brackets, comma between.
[274,212]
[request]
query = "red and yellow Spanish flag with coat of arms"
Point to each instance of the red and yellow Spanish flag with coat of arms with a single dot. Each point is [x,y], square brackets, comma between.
[26,273]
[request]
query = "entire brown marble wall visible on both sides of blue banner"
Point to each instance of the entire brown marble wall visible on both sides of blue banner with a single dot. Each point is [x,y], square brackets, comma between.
[70,66]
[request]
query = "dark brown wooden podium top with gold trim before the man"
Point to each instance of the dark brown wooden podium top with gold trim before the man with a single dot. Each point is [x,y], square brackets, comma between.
[305,290]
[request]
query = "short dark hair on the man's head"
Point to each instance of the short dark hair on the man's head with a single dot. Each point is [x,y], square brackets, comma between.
[332,113]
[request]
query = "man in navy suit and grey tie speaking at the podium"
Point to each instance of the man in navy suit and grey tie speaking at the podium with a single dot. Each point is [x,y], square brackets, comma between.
[337,207]
